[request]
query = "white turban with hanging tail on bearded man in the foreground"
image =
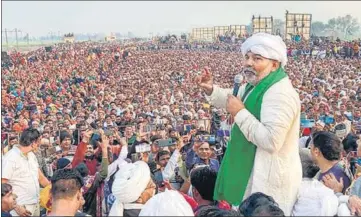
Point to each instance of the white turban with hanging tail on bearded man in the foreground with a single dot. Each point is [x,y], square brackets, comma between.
[129,183]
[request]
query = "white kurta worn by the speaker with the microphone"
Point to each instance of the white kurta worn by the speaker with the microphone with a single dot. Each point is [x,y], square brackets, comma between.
[277,168]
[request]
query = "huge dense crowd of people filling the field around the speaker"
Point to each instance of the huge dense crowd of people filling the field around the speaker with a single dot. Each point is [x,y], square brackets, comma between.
[113,129]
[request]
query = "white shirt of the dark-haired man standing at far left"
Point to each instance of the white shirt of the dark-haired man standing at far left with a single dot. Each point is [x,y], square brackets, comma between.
[23,174]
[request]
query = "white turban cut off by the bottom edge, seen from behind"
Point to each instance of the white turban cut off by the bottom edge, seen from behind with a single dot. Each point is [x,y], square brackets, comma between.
[168,203]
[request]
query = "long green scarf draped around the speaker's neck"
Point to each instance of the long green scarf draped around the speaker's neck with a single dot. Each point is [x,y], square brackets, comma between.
[238,161]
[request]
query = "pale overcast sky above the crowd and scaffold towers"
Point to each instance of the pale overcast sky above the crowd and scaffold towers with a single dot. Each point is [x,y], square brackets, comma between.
[141,18]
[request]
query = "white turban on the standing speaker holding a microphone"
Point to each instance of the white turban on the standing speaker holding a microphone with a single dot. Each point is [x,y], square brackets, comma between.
[266,45]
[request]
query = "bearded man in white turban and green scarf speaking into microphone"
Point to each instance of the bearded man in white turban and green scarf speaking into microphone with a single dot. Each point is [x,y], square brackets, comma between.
[262,154]
